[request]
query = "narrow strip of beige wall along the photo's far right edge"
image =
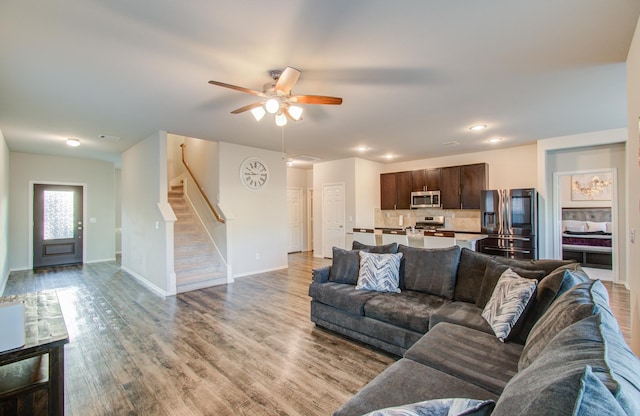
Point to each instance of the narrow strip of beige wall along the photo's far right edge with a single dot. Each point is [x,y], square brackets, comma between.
[633,185]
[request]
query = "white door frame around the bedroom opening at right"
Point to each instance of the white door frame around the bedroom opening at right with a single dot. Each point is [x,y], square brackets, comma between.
[556,227]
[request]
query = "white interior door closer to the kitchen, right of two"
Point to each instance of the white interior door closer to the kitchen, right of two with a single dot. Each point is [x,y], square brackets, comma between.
[333,233]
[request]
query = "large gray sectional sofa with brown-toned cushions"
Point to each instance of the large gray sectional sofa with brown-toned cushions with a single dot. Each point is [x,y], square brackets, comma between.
[564,355]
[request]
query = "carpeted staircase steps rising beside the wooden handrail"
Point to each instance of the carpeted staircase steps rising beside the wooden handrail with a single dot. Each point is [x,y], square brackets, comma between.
[197,263]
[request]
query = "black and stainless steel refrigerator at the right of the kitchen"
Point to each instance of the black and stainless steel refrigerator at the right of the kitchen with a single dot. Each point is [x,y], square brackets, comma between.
[510,218]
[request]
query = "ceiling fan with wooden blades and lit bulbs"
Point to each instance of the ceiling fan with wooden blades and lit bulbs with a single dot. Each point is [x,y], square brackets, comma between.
[277,97]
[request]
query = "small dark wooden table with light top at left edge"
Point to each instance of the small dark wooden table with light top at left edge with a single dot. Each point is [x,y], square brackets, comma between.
[27,384]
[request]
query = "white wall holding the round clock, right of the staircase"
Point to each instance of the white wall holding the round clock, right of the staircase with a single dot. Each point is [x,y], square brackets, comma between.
[259,225]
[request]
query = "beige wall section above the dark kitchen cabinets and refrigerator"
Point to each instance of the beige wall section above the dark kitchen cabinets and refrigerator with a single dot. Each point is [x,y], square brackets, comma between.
[513,167]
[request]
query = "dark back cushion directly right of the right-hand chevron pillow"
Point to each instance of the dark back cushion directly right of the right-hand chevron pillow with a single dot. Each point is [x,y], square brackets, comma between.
[550,287]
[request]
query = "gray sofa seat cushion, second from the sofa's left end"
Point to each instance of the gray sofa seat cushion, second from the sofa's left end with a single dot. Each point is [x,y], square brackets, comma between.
[409,309]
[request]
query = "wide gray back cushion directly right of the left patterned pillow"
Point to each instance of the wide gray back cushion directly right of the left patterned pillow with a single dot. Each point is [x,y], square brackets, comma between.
[430,270]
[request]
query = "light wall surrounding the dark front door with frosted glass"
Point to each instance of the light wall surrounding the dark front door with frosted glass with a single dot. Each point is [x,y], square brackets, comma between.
[99,180]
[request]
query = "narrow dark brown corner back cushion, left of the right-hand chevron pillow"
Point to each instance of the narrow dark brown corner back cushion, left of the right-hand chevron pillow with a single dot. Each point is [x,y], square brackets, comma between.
[469,277]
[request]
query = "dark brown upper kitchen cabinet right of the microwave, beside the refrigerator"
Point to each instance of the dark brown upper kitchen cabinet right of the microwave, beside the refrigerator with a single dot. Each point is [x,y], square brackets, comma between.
[460,186]
